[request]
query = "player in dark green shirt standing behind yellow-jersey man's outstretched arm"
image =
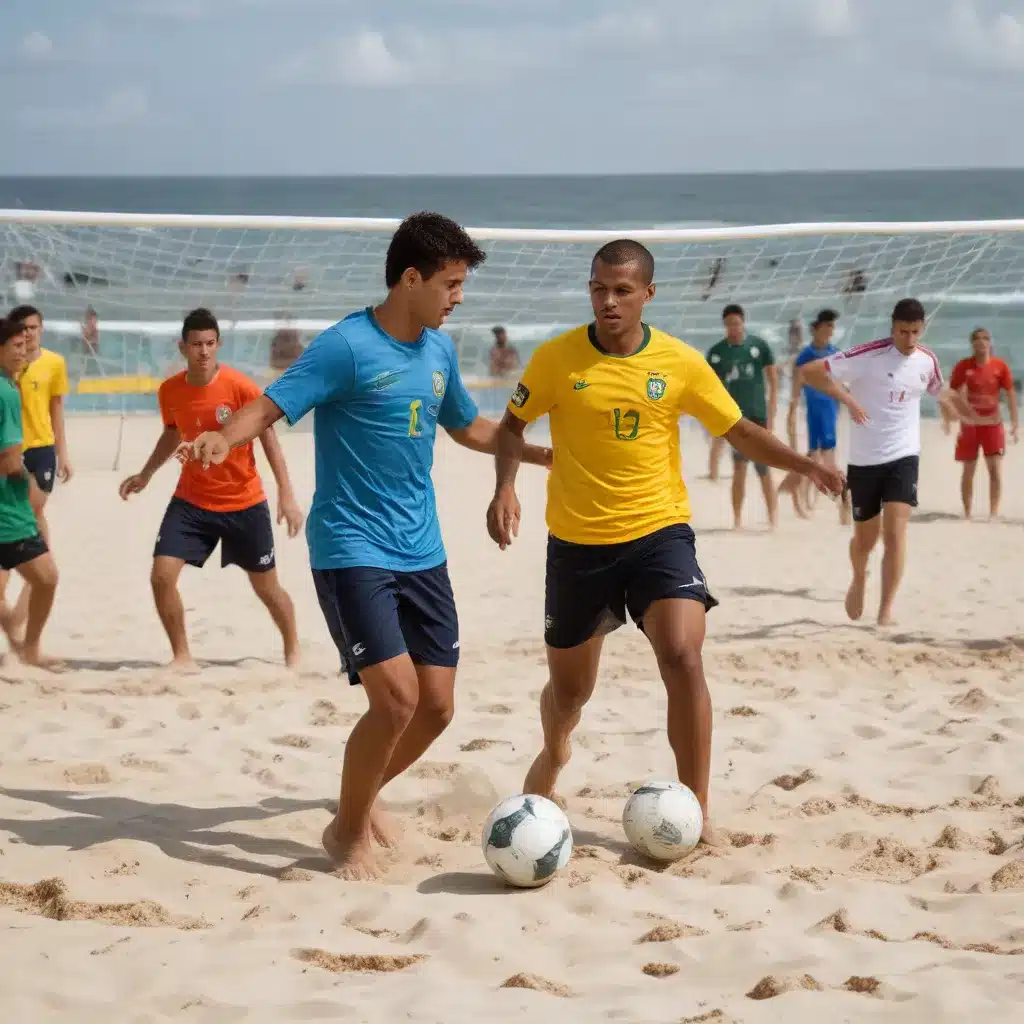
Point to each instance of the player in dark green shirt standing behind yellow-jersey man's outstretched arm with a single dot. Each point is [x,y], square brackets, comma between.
[746,366]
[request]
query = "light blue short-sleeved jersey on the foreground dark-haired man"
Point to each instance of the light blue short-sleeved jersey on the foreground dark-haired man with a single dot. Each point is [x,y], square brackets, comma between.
[377,404]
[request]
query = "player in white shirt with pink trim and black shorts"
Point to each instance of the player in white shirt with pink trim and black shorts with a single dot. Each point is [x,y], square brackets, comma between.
[881,383]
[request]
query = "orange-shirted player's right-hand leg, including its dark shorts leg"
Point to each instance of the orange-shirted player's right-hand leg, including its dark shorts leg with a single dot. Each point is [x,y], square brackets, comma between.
[247,541]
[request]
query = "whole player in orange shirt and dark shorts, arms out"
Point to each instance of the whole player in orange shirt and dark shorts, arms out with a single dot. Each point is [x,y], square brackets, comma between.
[225,504]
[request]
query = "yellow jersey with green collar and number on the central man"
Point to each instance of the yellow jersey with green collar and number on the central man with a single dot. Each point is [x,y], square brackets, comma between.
[615,431]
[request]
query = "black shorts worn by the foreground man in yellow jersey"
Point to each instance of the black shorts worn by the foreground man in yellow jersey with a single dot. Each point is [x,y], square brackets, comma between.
[588,588]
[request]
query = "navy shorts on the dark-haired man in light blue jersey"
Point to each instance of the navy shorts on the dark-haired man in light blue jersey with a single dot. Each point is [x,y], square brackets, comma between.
[375,615]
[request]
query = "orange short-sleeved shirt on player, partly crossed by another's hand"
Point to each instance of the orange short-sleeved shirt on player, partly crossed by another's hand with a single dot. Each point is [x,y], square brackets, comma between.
[235,484]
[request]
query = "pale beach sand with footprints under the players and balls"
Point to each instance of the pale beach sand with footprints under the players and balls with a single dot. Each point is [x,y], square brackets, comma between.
[160,837]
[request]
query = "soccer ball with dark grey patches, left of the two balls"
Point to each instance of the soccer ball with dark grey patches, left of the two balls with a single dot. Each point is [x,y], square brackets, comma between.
[527,840]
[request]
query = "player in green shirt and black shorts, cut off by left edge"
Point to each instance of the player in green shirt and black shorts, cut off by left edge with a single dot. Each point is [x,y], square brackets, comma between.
[22,546]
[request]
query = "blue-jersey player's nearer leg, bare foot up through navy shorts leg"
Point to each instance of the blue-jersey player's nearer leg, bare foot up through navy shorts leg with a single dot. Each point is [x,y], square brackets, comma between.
[361,607]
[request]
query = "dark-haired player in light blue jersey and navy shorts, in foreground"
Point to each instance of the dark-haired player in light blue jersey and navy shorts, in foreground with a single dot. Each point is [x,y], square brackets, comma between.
[380,382]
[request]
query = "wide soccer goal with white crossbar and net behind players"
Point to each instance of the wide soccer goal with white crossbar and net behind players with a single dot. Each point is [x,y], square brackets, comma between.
[133,277]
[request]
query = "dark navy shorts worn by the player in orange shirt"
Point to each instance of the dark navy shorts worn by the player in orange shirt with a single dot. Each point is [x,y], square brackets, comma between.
[191,534]
